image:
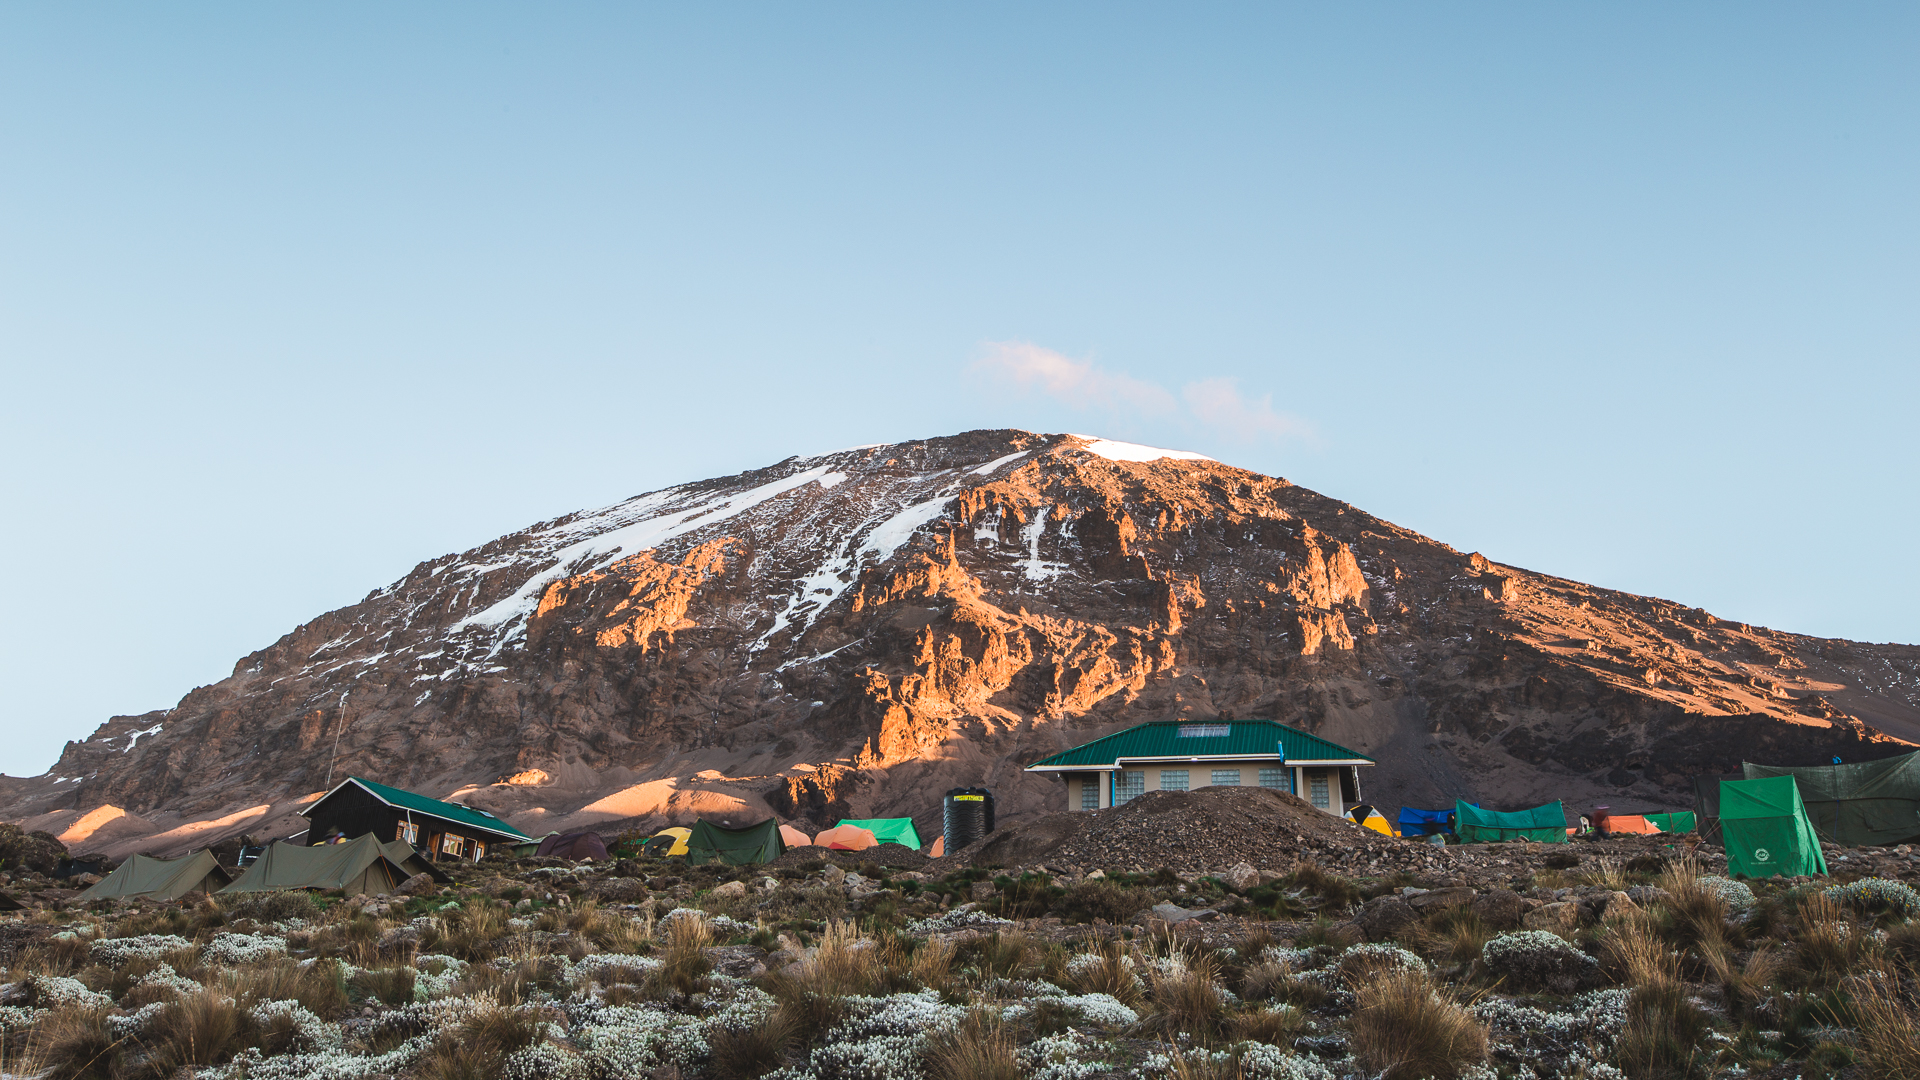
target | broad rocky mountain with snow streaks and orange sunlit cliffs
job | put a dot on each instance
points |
(857, 631)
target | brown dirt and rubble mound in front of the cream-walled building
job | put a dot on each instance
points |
(1201, 831)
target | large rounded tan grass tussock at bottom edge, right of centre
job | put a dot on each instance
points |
(1408, 1029)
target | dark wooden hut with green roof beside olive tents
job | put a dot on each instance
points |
(441, 829)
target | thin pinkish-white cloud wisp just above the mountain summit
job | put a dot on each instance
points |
(1211, 405)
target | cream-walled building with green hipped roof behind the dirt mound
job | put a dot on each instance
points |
(1182, 756)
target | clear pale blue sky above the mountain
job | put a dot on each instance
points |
(297, 297)
